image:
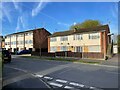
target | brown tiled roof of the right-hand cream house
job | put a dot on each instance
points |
(85, 30)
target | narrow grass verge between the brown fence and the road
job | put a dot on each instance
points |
(62, 59)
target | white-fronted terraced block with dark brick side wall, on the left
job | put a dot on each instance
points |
(30, 40)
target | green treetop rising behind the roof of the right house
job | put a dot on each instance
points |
(86, 24)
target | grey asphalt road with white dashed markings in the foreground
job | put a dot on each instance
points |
(30, 73)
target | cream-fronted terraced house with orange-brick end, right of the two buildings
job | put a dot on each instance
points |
(88, 41)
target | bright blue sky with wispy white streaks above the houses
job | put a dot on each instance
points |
(55, 16)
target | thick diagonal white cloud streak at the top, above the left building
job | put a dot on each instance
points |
(39, 7)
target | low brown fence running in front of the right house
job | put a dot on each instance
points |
(71, 54)
